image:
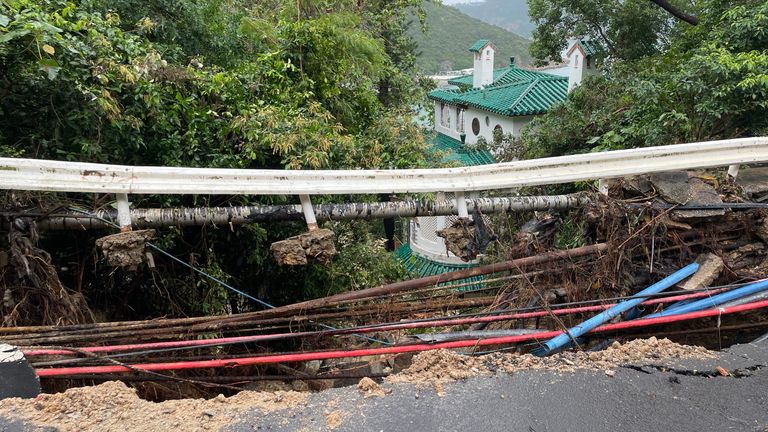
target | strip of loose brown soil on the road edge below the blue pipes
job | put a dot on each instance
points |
(440, 366)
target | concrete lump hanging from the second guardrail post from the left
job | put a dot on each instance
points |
(317, 244)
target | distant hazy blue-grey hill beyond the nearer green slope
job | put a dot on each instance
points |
(510, 15)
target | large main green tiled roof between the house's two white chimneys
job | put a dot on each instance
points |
(516, 92)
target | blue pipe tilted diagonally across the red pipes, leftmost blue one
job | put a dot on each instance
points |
(560, 341)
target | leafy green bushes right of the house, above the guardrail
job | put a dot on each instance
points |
(710, 84)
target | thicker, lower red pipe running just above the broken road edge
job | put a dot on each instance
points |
(323, 355)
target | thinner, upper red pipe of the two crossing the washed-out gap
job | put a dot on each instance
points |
(396, 326)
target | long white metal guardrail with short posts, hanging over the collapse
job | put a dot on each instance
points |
(55, 176)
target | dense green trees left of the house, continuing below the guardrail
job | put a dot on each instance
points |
(213, 84)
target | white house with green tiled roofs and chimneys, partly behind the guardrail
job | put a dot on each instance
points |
(488, 100)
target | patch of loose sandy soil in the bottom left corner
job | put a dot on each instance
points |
(113, 406)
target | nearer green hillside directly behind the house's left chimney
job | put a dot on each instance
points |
(450, 33)
